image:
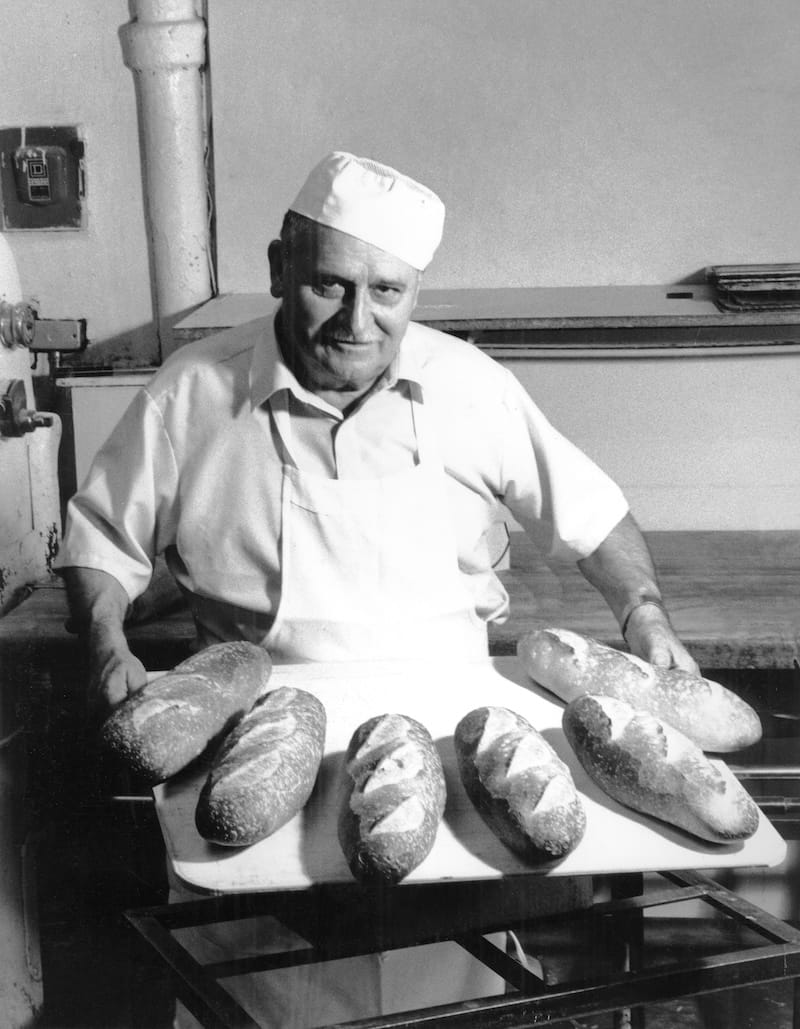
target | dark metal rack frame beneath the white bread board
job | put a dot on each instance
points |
(372, 924)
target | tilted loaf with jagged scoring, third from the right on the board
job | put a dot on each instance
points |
(518, 785)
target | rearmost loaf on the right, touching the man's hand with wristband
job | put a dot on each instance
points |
(571, 665)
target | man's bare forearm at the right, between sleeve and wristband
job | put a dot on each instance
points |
(622, 570)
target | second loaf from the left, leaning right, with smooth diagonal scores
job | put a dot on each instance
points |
(265, 770)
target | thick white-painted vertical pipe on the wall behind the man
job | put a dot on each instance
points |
(165, 48)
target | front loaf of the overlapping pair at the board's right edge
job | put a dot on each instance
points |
(650, 767)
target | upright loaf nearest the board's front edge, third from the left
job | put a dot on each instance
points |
(393, 799)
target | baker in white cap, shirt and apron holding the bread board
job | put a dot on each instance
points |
(324, 482)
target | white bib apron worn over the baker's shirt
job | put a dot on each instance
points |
(370, 566)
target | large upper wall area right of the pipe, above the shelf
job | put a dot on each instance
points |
(575, 143)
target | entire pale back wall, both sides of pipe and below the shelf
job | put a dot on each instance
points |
(574, 141)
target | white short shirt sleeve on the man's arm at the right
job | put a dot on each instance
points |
(554, 490)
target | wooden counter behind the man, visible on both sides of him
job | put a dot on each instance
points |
(735, 598)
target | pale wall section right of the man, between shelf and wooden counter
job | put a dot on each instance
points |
(706, 443)
